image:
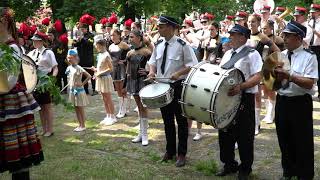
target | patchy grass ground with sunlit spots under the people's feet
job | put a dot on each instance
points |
(106, 152)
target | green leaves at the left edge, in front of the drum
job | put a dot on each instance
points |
(8, 62)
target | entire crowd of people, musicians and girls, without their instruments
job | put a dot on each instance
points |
(129, 56)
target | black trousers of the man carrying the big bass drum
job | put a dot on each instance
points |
(241, 132)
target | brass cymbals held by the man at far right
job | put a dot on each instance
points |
(273, 61)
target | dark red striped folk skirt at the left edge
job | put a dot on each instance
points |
(19, 143)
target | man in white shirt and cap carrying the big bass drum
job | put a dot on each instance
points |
(249, 62)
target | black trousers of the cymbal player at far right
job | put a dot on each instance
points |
(293, 118)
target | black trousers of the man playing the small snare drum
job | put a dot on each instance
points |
(169, 113)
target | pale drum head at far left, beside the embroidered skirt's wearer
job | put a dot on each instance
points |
(29, 73)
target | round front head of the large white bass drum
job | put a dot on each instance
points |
(226, 107)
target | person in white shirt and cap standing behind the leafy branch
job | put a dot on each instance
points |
(46, 63)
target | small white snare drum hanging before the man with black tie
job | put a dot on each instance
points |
(156, 95)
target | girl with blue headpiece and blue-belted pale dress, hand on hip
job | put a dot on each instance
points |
(77, 94)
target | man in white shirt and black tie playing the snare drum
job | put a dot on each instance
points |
(172, 58)
